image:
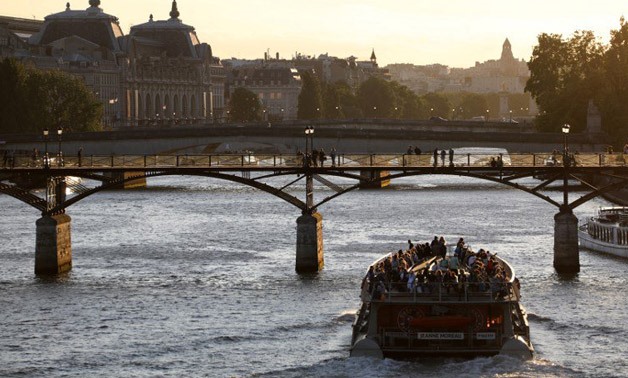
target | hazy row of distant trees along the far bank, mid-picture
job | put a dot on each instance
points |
(377, 98)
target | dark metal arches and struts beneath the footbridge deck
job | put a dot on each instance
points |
(616, 178)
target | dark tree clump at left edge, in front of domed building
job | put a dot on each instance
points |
(32, 100)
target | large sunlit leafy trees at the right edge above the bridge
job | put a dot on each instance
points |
(566, 74)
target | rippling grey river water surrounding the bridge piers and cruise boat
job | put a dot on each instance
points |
(195, 277)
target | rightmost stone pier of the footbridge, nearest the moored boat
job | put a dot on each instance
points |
(566, 252)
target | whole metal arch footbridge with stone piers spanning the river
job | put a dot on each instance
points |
(59, 176)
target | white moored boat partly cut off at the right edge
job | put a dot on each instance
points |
(607, 232)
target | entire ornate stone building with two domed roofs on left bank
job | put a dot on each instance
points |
(159, 74)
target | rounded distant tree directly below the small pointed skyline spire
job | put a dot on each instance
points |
(376, 98)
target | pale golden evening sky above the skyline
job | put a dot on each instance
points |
(454, 32)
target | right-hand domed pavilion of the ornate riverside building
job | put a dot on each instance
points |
(169, 78)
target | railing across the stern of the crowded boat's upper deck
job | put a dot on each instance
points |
(444, 292)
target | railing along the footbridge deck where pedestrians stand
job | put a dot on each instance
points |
(344, 160)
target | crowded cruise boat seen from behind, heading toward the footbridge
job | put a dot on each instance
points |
(419, 303)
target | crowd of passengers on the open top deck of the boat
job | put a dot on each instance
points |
(480, 271)
